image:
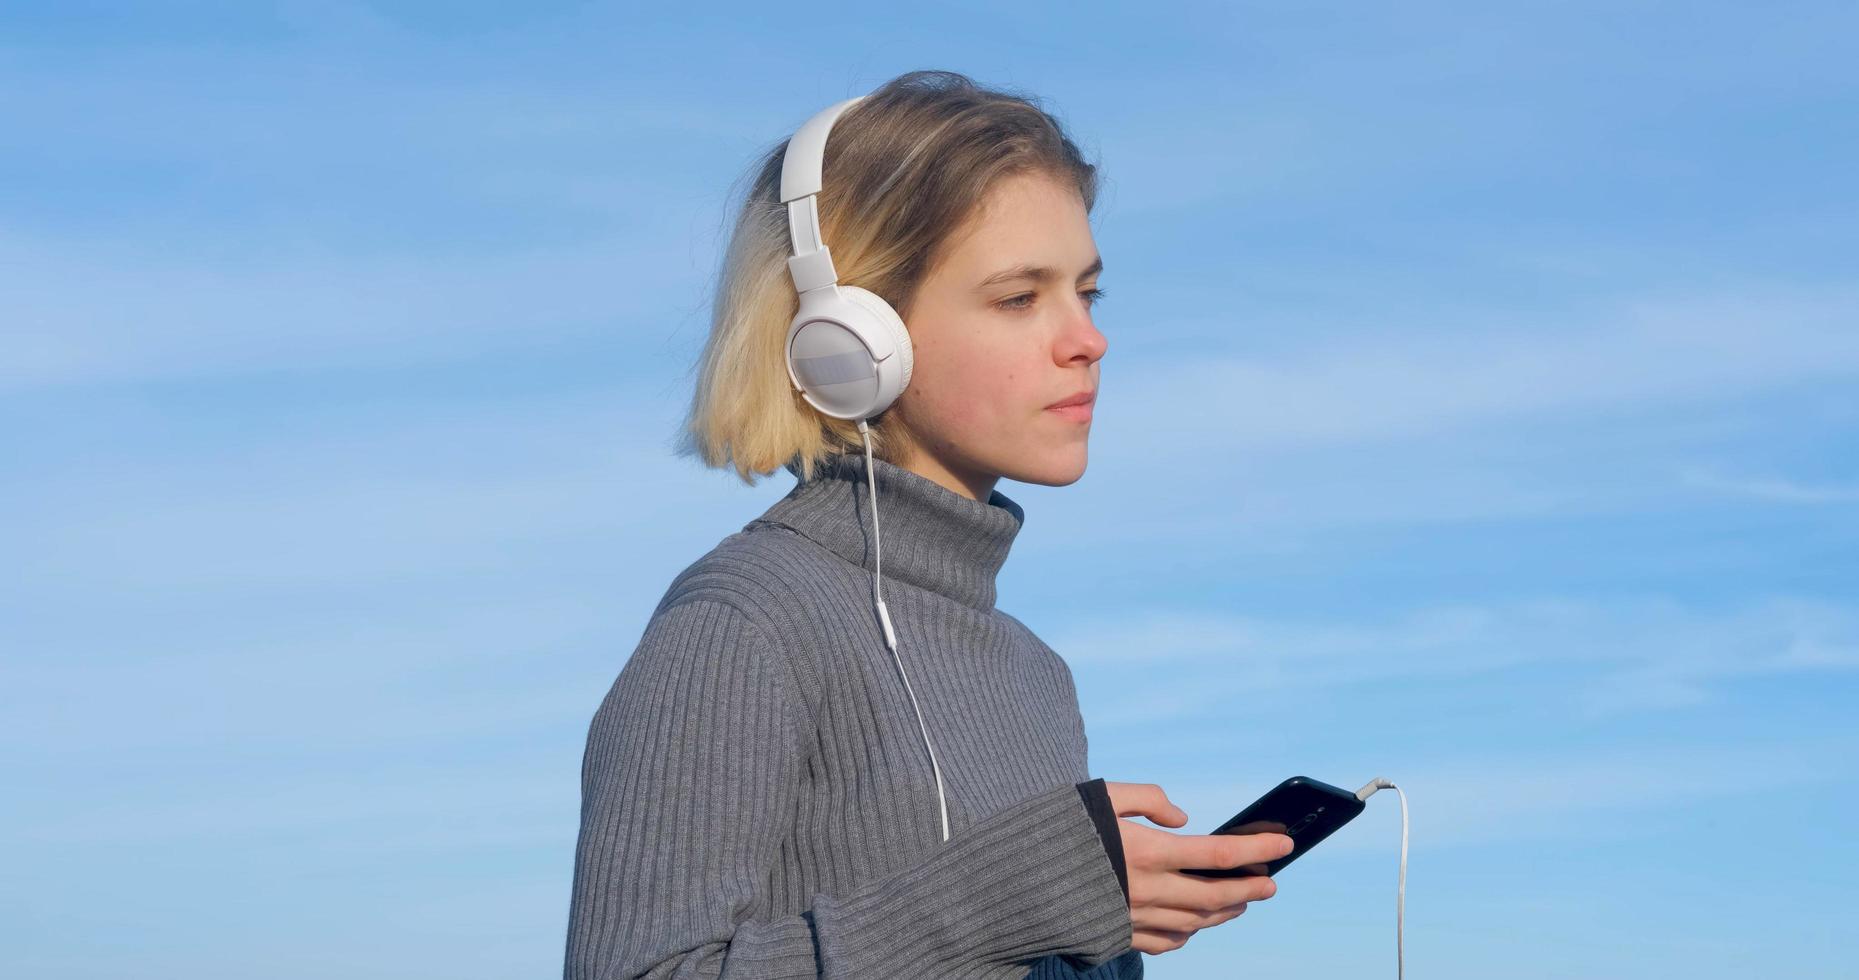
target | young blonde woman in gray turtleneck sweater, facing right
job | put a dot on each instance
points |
(832, 754)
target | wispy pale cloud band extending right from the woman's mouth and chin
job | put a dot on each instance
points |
(1401, 380)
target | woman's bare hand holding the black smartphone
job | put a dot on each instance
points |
(1167, 905)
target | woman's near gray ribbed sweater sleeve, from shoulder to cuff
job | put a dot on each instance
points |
(689, 789)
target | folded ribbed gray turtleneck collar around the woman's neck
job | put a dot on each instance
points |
(934, 536)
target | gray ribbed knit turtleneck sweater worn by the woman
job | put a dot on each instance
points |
(758, 801)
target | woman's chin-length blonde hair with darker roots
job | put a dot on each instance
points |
(904, 172)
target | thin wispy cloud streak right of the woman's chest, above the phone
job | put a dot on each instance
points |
(1626, 654)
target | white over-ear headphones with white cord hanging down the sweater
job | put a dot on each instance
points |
(849, 352)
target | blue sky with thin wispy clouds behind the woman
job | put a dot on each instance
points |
(1481, 412)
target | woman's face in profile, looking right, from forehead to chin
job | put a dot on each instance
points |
(1001, 330)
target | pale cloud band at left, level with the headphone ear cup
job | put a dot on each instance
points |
(111, 313)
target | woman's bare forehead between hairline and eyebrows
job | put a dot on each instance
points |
(1025, 219)
